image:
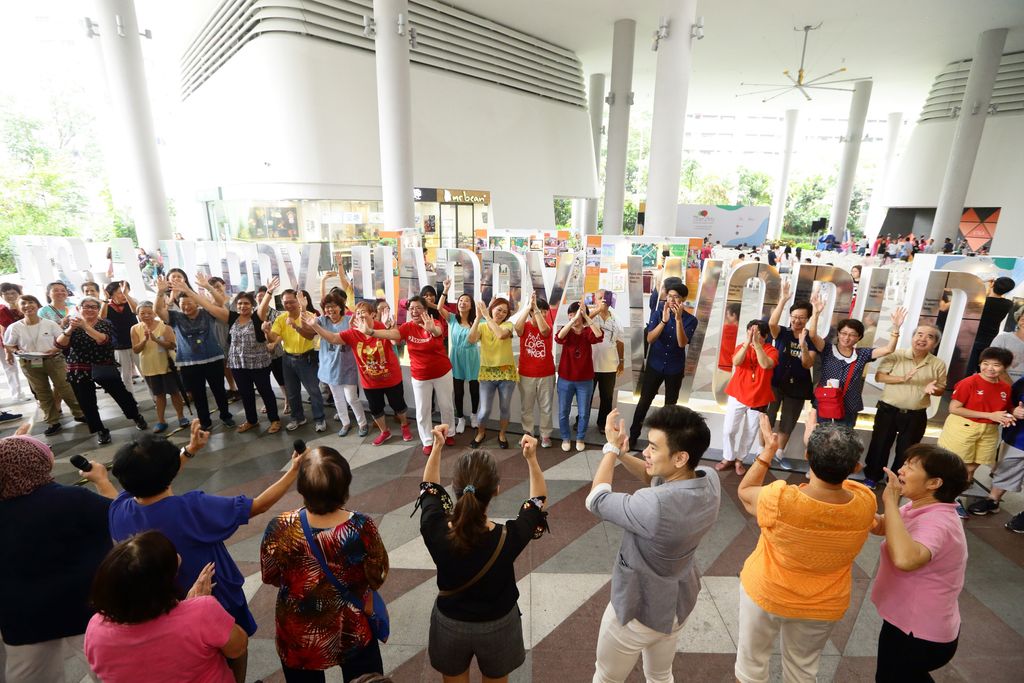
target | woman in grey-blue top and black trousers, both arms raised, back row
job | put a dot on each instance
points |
(200, 358)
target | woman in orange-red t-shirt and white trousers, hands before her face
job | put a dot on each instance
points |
(750, 394)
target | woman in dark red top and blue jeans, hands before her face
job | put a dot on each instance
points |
(576, 371)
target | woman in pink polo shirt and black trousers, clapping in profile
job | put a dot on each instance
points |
(921, 573)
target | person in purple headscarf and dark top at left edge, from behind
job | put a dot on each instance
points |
(54, 538)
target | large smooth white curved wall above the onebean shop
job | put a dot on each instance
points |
(295, 118)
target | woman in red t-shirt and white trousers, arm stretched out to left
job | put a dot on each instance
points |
(432, 369)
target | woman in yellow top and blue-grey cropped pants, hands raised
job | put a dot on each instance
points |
(498, 371)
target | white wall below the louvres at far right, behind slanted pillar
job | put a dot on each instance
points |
(998, 180)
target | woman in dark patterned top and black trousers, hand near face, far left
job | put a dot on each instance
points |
(89, 341)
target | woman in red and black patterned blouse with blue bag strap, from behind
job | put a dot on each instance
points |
(317, 627)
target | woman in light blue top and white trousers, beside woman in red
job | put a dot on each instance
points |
(337, 369)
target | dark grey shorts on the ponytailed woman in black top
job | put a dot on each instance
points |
(497, 646)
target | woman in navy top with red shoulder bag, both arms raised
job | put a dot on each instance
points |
(837, 359)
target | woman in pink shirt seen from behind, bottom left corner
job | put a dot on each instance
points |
(143, 631)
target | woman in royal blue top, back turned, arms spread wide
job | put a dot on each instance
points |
(197, 524)
